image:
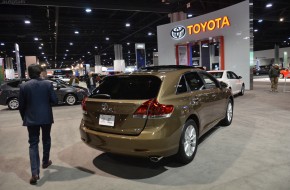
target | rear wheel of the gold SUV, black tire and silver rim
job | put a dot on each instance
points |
(188, 142)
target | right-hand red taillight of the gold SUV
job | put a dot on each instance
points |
(153, 109)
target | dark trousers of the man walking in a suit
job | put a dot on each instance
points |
(34, 132)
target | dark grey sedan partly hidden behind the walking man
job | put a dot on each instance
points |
(9, 93)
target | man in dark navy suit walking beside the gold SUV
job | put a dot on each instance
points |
(35, 106)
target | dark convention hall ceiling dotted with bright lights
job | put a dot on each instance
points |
(63, 33)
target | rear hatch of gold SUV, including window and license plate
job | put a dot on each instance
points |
(113, 105)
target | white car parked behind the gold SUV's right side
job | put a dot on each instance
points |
(235, 82)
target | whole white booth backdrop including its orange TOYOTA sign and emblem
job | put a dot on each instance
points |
(231, 23)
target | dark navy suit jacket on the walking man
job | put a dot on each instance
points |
(35, 100)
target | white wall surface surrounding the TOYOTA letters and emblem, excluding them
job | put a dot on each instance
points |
(236, 39)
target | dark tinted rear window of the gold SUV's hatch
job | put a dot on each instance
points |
(128, 87)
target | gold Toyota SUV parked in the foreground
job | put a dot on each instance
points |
(155, 112)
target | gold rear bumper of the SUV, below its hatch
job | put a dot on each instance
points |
(148, 143)
